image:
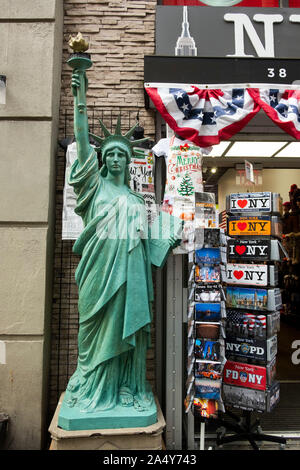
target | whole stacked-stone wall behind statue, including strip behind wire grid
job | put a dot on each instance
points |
(120, 33)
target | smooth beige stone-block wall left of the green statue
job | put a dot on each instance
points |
(30, 57)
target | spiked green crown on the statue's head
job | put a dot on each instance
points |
(110, 140)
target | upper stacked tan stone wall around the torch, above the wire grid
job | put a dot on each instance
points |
(120, 33)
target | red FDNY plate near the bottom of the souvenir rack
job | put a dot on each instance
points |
(245, 375)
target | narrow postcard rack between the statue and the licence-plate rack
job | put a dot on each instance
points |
(205, 347)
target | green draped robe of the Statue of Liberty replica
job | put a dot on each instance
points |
(115, 292)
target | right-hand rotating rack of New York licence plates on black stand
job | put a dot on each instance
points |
(253, 303)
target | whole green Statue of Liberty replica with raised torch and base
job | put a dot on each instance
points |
(114, 278)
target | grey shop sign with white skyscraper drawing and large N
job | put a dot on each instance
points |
(237, 32)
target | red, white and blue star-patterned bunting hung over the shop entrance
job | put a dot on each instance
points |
(208, 116)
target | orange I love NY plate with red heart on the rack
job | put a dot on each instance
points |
(239, 226)
